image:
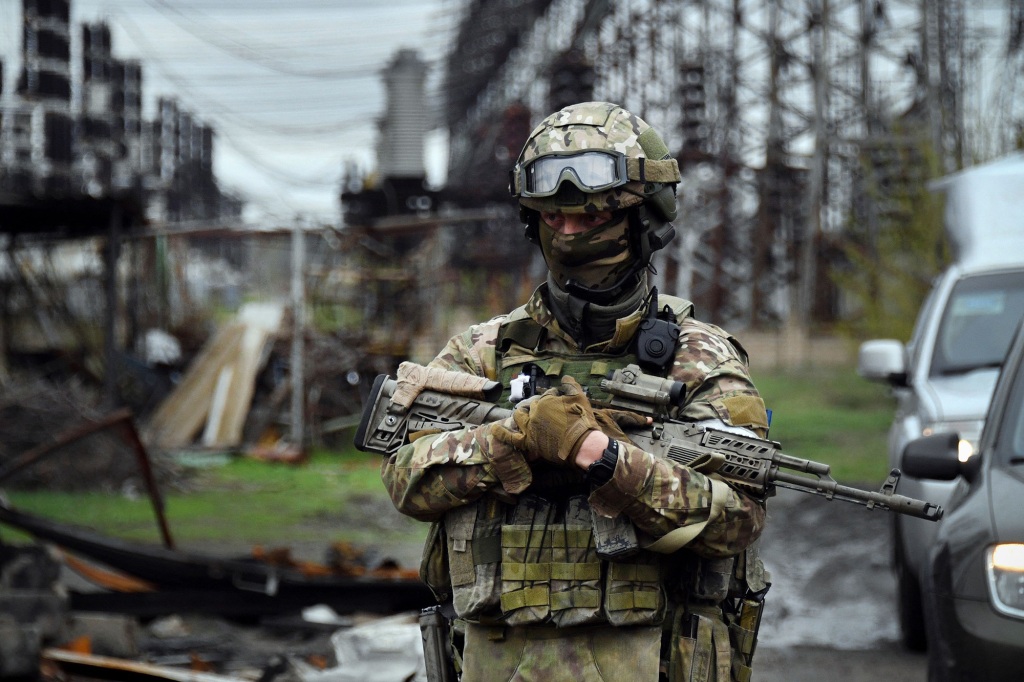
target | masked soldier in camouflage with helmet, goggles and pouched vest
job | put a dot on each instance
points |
(566, 552)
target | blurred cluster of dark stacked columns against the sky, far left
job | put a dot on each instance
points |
(96, 148)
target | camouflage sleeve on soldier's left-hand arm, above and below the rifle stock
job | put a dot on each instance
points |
(439, 473)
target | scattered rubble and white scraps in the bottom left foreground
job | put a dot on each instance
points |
(44, 637)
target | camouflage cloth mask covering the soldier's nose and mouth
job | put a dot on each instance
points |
(595, 260)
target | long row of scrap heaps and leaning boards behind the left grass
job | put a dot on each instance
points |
(231, 394)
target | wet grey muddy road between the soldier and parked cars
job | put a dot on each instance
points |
(831, 612)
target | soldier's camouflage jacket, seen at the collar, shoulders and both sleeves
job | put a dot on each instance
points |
(438, 474)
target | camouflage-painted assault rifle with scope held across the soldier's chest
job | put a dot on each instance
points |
(450, 401)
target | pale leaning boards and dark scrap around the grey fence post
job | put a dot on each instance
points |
(236, 393)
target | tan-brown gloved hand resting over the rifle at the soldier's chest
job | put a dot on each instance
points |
(552, 428)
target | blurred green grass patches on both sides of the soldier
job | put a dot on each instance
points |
(827, 415)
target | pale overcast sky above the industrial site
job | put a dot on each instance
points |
(292, 90)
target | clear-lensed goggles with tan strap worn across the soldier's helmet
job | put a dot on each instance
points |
(591, 172)
